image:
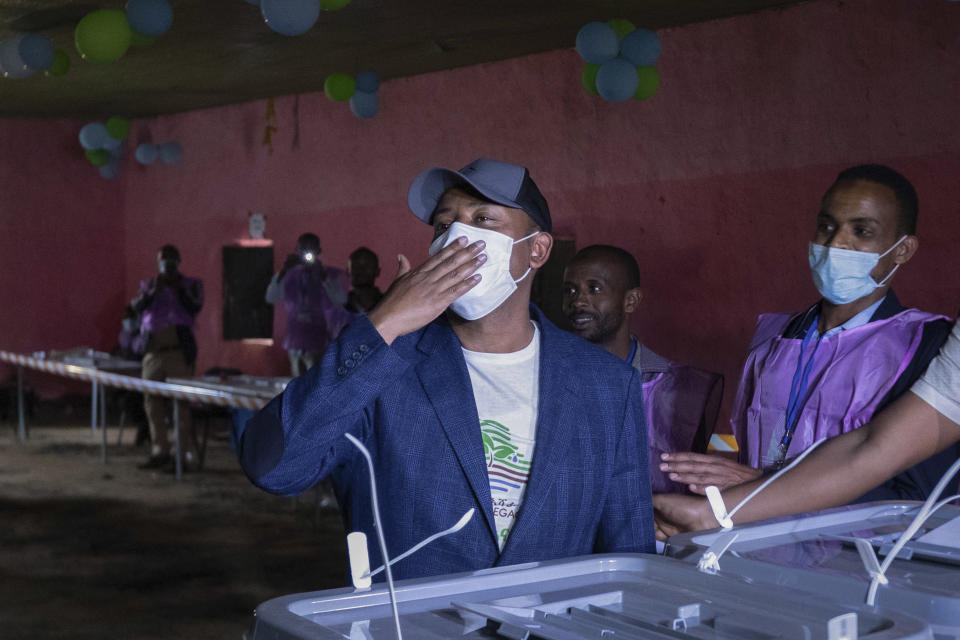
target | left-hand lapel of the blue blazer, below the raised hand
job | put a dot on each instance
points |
(441, 372)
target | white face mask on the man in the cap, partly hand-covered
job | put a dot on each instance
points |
(496, 284)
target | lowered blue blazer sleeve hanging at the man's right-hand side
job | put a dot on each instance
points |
(626, 524)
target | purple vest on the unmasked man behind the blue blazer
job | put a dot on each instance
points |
(674, 404)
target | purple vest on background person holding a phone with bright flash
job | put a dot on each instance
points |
(313, 319)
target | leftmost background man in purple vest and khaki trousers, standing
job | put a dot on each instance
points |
(168, 305)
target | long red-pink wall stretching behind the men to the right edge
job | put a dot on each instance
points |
(713, 183)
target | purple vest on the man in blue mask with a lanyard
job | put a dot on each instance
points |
(852, 372)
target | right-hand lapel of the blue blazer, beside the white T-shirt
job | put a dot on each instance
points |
(555, 431)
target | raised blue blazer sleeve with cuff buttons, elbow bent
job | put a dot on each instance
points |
(297, 439)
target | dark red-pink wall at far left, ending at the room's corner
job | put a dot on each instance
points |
(61, 249)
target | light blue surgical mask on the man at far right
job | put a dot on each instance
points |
(843, 275)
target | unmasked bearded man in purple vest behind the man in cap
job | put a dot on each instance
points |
(601, 289)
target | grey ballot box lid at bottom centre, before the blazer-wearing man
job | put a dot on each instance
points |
(634, 596)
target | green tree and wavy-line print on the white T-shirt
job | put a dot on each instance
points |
(508, 468)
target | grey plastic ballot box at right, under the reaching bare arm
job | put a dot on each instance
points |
(818, 553)
